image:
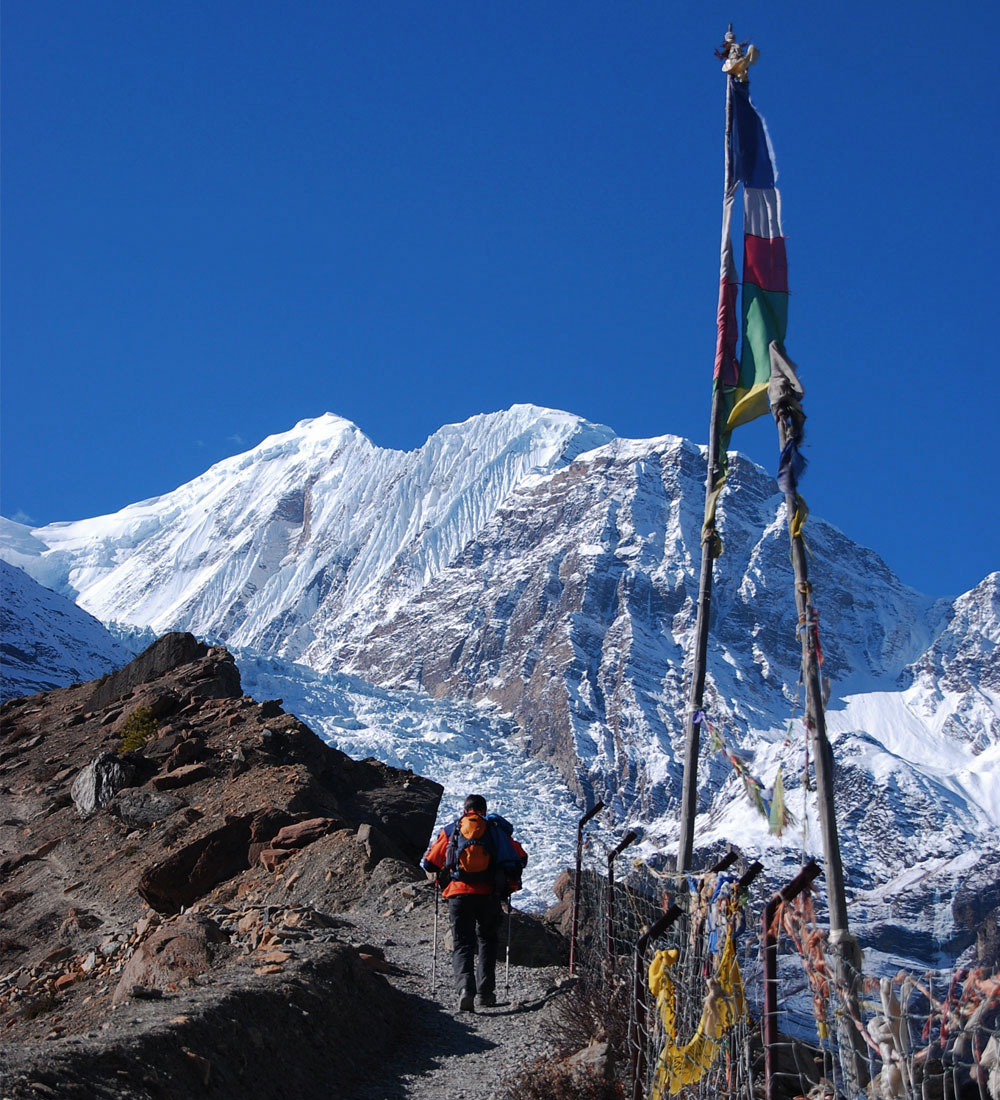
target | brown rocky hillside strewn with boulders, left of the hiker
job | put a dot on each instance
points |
(172, 914)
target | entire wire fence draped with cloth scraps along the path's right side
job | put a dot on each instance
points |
(675, 966)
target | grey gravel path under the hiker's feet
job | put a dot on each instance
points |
(452, 1054)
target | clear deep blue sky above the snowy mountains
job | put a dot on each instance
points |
(221, 218)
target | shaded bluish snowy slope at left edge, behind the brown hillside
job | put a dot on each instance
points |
(47, 641)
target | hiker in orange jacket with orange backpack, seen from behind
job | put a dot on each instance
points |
(478, 863)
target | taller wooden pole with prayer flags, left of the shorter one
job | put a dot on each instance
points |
(689, 798)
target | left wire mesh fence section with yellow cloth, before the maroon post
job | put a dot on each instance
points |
(680, 994)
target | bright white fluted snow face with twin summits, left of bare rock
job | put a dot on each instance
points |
(309, 522)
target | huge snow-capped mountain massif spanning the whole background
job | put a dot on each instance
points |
(546, 571)
